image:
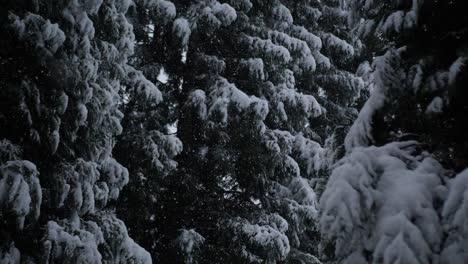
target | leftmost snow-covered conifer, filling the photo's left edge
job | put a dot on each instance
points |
(63, 65)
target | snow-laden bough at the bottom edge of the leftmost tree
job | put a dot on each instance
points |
(77, 241)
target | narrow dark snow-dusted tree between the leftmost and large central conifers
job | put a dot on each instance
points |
(147, 148)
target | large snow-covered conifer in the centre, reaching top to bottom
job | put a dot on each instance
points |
(249, 116)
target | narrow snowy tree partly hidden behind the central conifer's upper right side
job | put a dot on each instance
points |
(342, 84)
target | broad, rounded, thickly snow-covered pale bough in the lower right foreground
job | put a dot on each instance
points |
(380, 206)
